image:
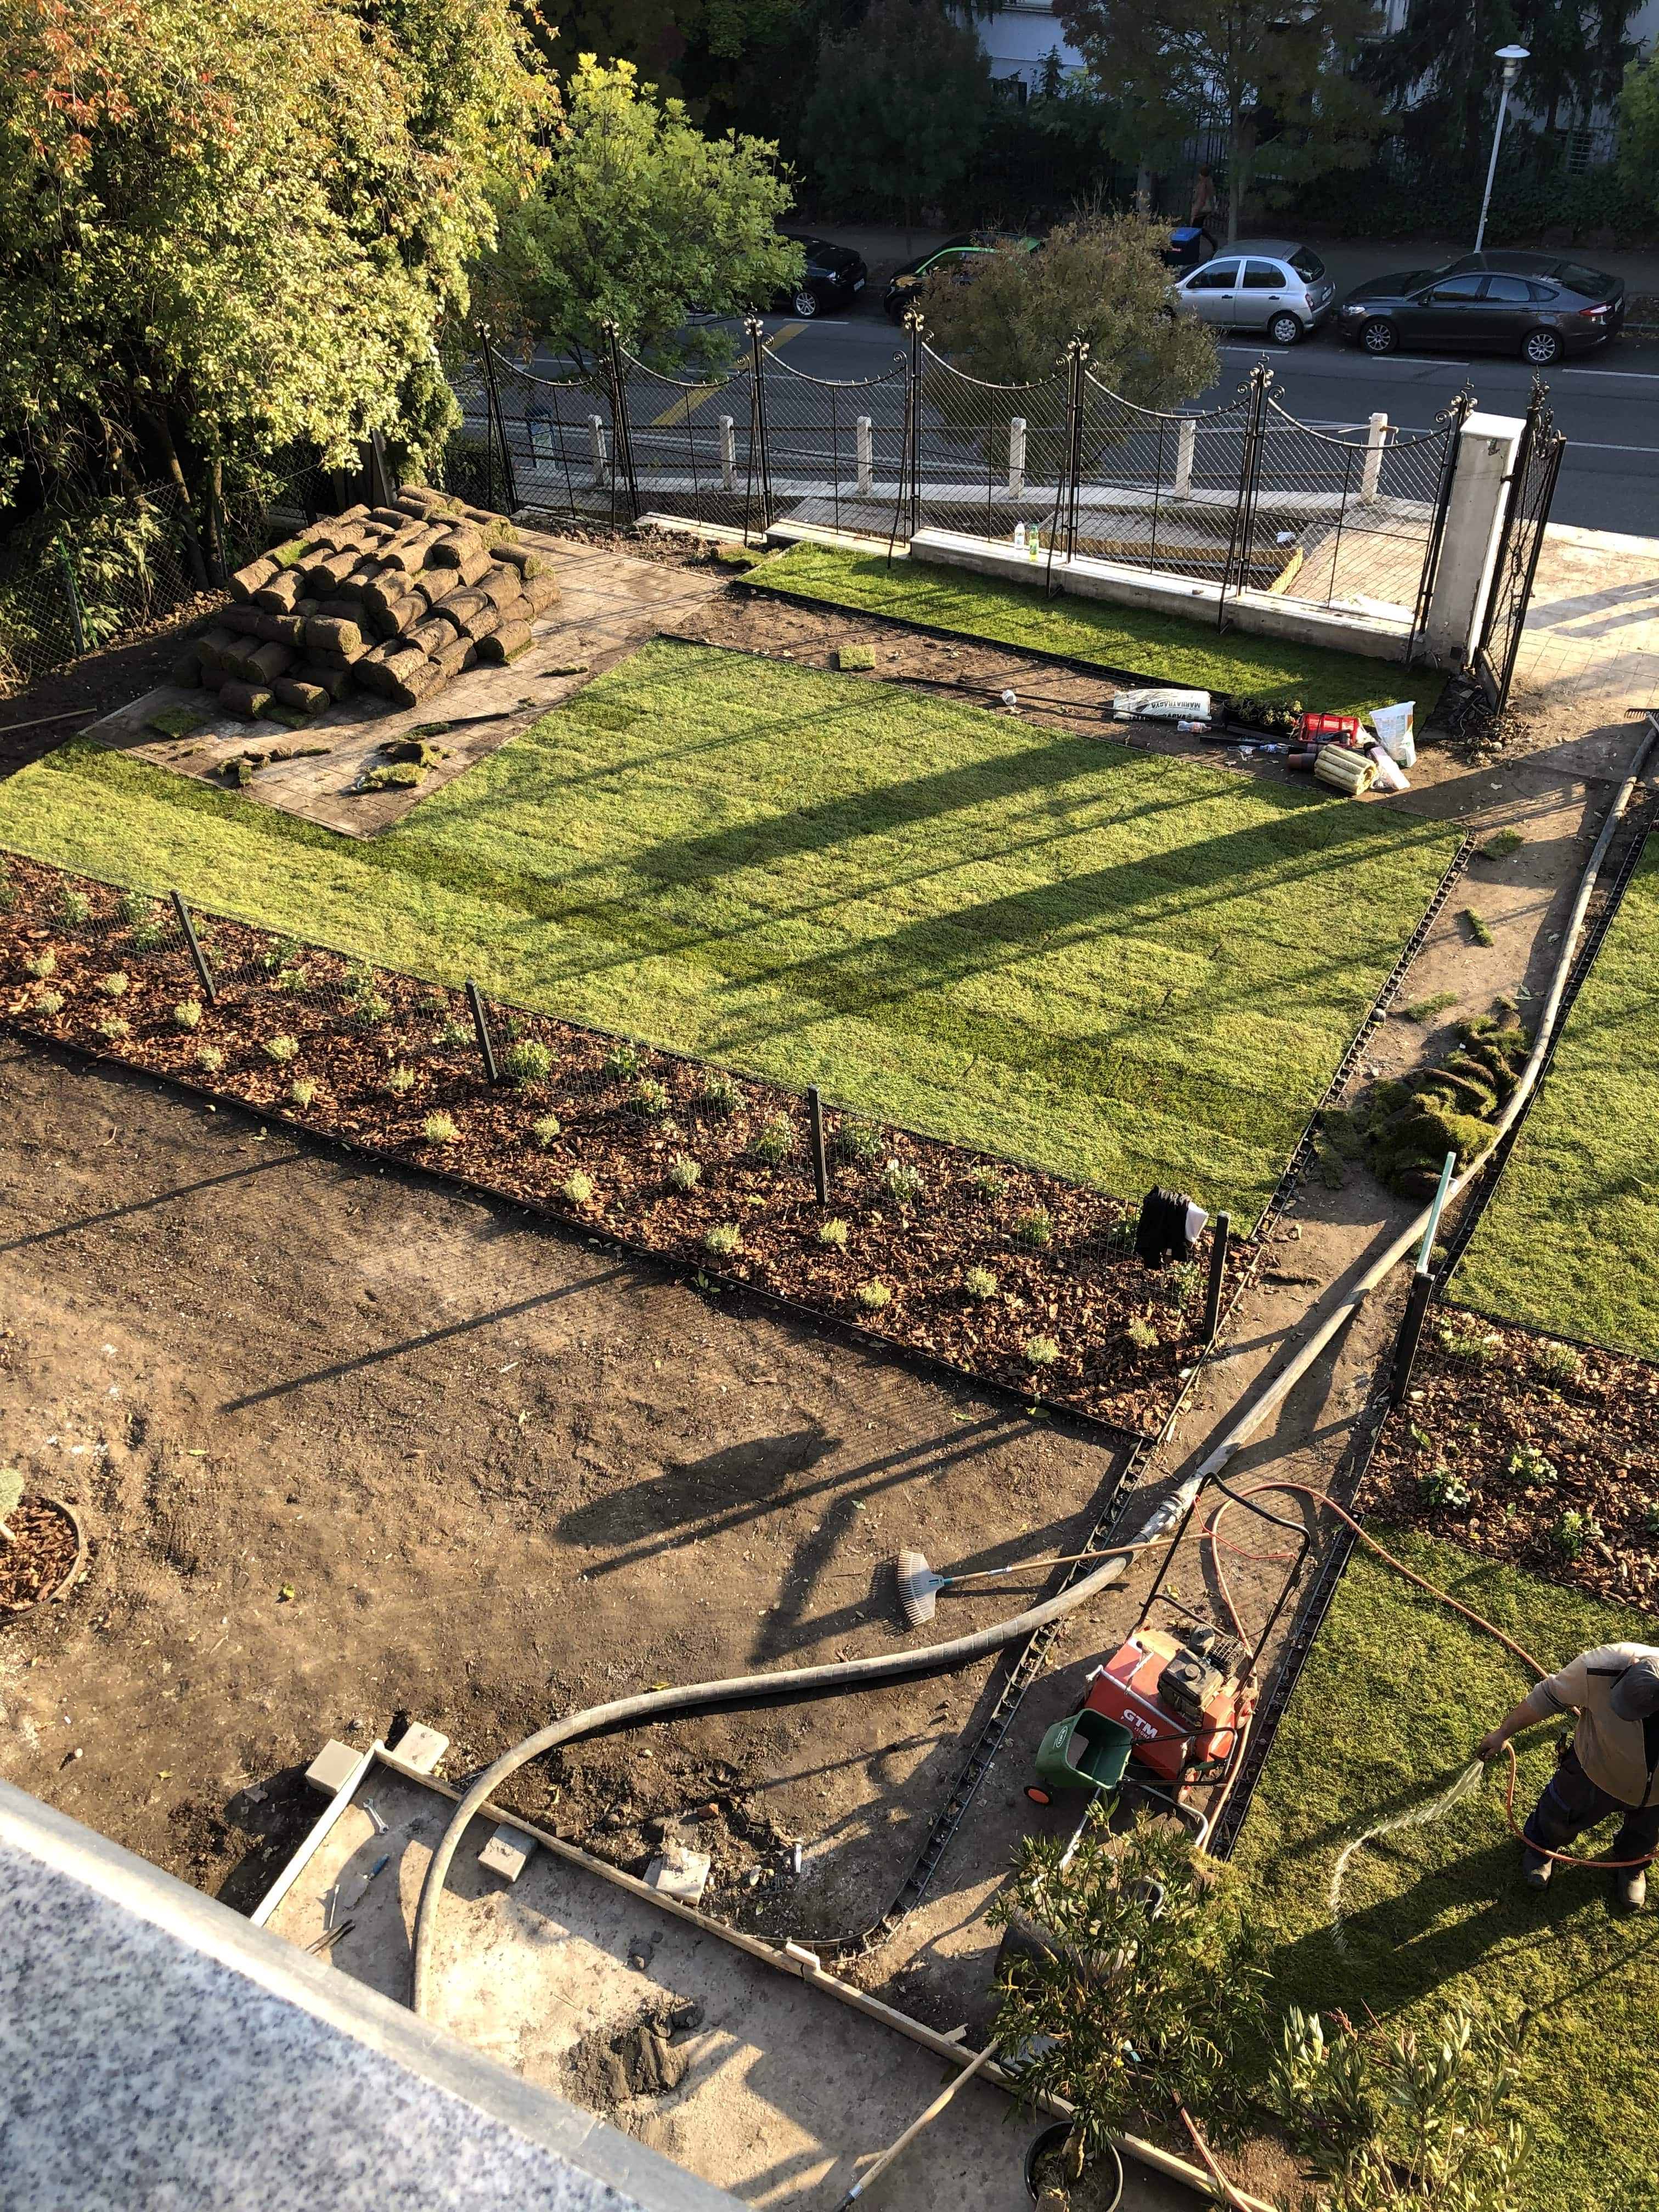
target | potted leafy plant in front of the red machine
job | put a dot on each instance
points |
(1129, 1992)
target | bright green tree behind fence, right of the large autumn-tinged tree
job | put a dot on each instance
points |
(640, 220)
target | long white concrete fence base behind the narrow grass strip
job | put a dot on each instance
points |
(1373, 629)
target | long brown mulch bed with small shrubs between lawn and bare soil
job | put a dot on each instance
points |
(625, 1116)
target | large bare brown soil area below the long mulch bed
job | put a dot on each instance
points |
(355, 1448)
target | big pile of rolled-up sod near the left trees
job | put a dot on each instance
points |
(397, 601)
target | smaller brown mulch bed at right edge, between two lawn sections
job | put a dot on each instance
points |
(1532, 1432)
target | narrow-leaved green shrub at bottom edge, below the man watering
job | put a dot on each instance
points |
(1406, 2122)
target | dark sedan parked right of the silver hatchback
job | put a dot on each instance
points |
(1538, 306)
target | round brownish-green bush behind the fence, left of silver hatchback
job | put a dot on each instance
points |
(1098, 280)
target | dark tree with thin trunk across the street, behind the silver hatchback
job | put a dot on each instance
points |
(1282, 83)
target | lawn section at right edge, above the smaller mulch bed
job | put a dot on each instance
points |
(1572, 1235)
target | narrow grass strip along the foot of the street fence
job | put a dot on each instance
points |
(1162, 649)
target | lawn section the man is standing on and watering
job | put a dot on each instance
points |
(1386, 1713)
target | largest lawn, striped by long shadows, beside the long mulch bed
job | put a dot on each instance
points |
(1103, 961)
